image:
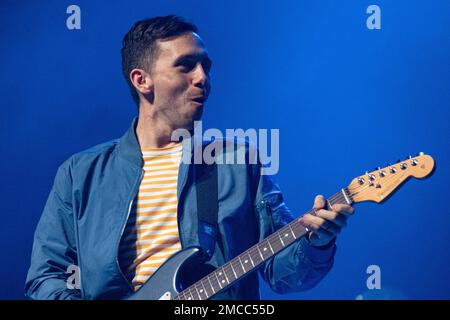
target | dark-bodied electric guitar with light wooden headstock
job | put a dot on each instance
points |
(167, 283)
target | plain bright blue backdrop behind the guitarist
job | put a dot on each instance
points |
(346, 99)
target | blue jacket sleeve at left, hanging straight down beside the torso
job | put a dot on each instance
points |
(54, 246)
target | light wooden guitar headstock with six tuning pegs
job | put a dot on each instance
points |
(379, 184)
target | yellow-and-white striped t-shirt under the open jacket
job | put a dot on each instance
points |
(151, 234)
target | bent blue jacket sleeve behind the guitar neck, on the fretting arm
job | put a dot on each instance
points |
(300, 266)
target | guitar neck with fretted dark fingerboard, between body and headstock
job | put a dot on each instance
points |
(252, 258)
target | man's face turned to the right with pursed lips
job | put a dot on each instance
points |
(181, 81)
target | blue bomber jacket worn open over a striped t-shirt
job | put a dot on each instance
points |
(87, 209)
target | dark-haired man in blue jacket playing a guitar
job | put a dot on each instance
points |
(118, 210)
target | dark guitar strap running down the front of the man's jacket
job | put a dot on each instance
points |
(207, 205)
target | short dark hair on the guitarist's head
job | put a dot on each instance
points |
(139, 47)
